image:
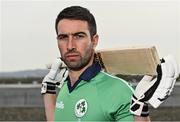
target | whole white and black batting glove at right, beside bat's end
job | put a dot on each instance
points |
(151, 89)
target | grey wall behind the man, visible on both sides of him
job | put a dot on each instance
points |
(29, 96)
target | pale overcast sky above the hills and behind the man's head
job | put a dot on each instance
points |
(28, 39)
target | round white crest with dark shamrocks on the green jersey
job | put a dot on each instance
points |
(81, 108)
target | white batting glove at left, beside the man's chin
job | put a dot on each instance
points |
(55, 78)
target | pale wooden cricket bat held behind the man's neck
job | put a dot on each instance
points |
(129, 61)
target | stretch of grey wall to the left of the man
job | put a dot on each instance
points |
(20, 96)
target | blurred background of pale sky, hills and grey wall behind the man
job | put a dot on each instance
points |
(28, 44)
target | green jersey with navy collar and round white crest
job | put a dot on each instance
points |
(96, 96)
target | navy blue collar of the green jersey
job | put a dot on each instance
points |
(87, 75)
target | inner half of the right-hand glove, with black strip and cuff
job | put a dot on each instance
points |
(143, 92)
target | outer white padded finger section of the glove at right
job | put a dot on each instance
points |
(169, 75)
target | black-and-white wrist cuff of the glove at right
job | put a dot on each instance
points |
(139, 108)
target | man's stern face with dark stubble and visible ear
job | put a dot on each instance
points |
(75, 43)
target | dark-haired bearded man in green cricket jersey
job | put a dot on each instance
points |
(88, 93)
